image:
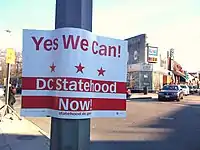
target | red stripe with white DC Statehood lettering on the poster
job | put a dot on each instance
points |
(30, 83)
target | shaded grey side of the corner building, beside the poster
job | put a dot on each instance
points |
(139, 73)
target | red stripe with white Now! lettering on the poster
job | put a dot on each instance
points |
(53, 103)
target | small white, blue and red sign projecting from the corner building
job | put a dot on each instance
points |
(152, 54)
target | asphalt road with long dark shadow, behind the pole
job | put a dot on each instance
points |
(149, 125)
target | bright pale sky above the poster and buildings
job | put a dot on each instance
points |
(168, 24)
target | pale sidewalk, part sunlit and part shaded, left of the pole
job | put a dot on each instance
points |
(21, 135)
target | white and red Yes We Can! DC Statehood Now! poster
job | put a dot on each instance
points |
(72, 73)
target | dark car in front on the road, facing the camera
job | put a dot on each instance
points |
(171, 92)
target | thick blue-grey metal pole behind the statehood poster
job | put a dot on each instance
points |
(68, 134)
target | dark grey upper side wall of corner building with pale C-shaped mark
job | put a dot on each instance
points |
(136, 49)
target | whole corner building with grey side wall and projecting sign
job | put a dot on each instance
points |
(141, 72)
